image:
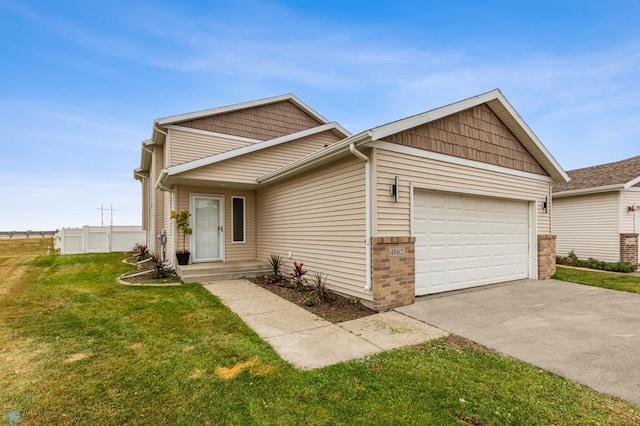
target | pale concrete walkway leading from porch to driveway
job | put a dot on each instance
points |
(308, 341)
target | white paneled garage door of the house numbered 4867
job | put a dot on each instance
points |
(465, 241)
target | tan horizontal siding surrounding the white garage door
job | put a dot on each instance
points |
(393, 219)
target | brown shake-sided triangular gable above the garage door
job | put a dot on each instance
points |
(476, 134)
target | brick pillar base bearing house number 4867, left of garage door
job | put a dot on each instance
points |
(393, 272)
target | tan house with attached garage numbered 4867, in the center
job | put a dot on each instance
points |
(452, 198)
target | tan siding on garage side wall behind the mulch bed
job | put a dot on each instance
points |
(320, 218)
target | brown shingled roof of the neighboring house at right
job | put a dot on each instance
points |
(604, 177)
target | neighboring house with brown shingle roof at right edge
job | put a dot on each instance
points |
(597, 213)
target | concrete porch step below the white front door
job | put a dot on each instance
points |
(207, 272)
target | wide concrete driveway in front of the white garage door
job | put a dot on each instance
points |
(587, 334)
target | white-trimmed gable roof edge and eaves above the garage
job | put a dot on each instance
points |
(494, 99)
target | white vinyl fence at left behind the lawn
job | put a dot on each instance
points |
(99, 239)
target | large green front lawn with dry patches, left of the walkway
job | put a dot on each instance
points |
(77, 348)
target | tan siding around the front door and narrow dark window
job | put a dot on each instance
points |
(233, 251)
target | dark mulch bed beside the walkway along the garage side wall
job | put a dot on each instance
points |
(337, 310)
